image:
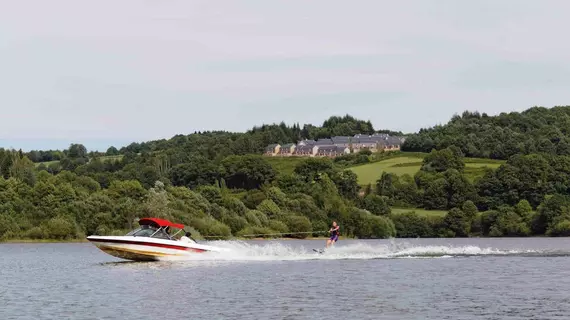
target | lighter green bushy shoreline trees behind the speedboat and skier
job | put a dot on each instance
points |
(241, 195)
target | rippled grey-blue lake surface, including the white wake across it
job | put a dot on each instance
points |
(380, 279)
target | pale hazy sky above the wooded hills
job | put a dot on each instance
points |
(107, 72)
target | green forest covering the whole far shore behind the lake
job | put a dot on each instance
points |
(218, 184)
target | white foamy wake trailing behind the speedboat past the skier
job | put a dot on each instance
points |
(278, 251)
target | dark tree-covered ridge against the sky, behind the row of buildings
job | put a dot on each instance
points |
(217, 145)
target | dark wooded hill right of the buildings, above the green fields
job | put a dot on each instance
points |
(478, 135)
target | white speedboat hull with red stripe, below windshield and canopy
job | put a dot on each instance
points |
(148, 249)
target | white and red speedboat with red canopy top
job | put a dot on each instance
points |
(151, 242)
